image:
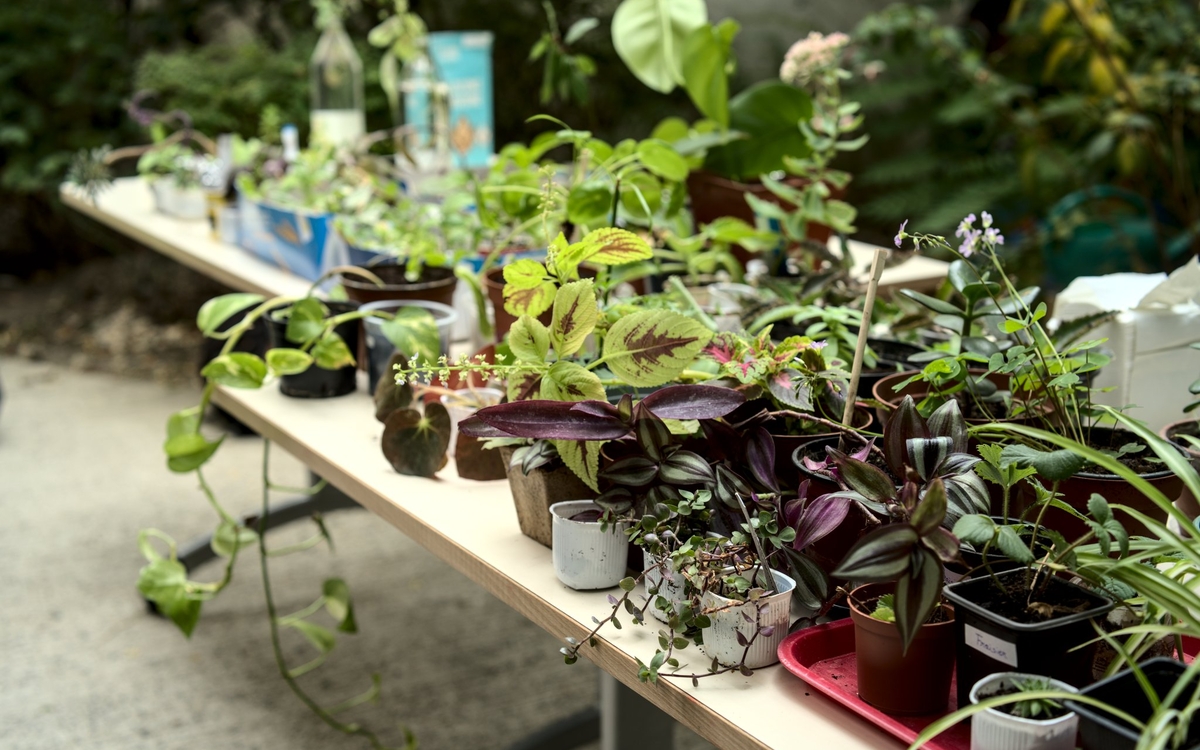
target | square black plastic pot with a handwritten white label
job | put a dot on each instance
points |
(989, 643)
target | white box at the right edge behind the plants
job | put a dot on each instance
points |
(1150, 339)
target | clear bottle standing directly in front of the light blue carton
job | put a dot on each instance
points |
(425, 110)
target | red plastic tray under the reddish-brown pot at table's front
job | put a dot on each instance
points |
(824, 657)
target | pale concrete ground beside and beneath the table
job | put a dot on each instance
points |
(86, 667)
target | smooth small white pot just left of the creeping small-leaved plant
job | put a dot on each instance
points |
(587, 556)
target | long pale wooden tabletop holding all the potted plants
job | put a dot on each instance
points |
(473, 527)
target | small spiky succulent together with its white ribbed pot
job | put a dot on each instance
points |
(1030, 724)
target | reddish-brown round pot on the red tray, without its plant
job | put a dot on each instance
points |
(916, 682)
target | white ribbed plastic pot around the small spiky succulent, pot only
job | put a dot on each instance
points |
(994, 730)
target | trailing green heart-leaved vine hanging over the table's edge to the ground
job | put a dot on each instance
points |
(165, 580)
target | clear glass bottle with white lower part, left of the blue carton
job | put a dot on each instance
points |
(335, 81)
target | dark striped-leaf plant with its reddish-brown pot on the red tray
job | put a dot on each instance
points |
(903, 632)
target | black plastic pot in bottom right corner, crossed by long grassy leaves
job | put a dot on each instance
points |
(1100, 730)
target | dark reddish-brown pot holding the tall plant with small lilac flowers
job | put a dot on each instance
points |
(1081, 488)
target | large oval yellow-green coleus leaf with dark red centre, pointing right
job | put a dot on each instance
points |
(652, 347)
